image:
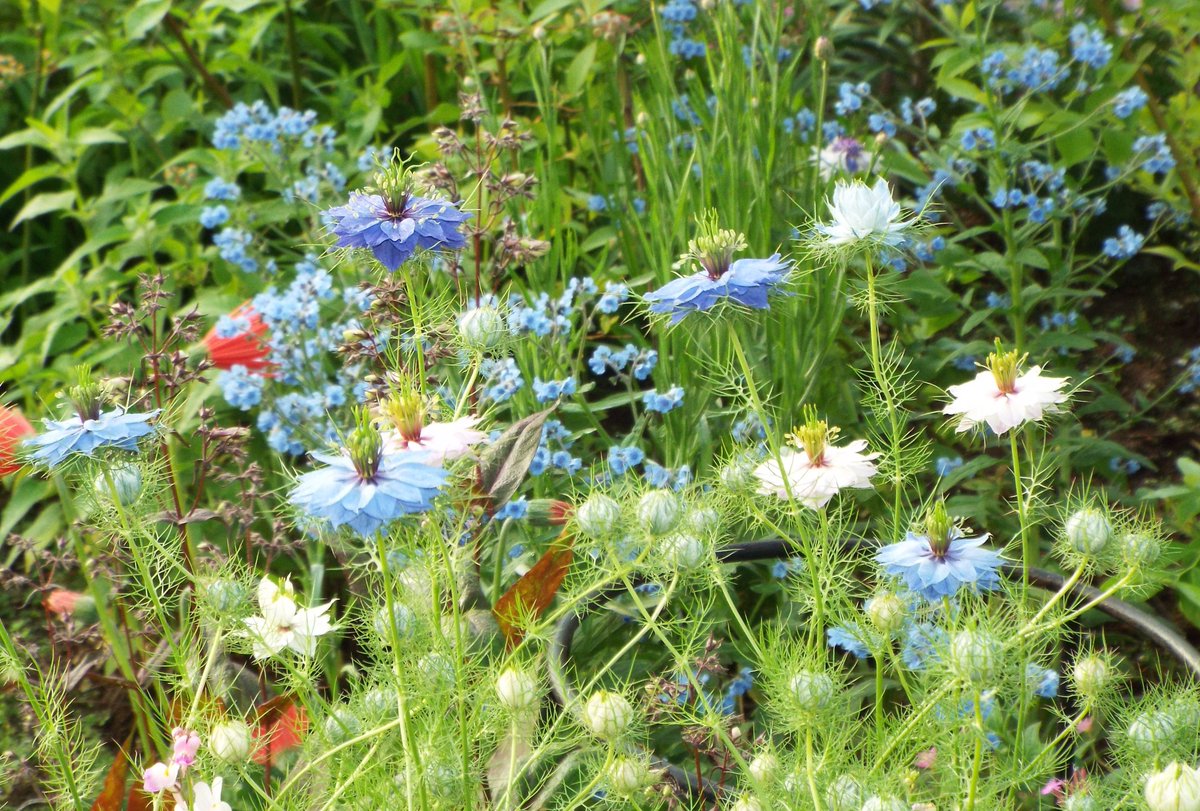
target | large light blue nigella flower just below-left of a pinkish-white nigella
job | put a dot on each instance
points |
(367, 488)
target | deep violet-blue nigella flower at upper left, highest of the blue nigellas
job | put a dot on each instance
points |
(395, 223)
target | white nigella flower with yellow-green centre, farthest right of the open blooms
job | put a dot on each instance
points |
(1004, 398)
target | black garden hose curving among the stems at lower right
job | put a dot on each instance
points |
(565, 693)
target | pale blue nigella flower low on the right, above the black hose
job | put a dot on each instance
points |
(938, 564)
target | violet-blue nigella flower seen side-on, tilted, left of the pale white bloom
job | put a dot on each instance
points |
(747, 283)
